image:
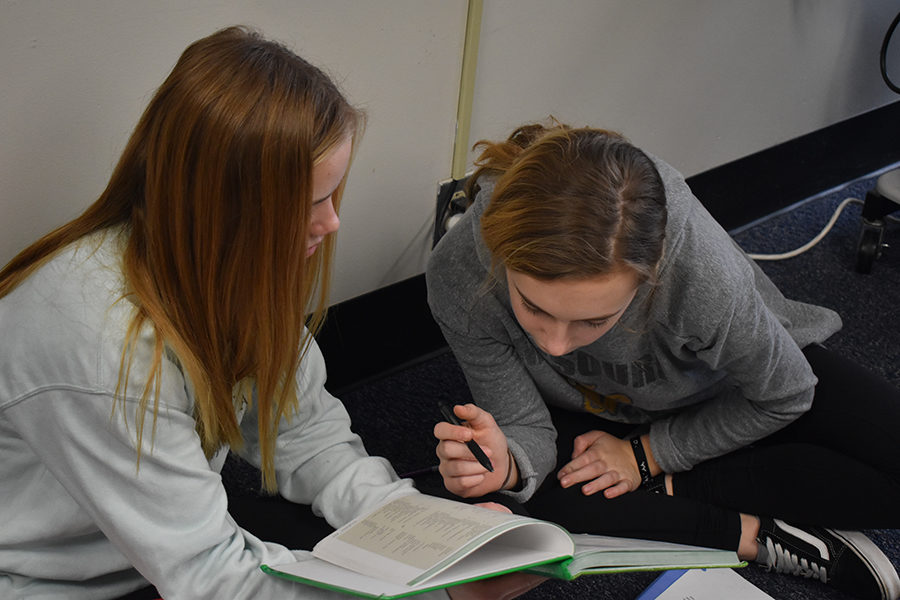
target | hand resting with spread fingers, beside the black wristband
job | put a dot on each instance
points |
(605, 462)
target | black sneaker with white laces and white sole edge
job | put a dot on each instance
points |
(846, 560)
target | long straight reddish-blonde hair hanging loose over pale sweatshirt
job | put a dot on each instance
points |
(214, 189)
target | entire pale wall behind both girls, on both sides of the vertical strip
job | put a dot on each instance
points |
(699, 83)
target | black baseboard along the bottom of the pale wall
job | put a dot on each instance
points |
(387, 329)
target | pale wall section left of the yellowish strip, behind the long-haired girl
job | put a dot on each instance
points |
(75, 77)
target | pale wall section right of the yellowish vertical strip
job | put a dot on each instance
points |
(696, 82)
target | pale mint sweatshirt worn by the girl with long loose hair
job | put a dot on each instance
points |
(78, 520)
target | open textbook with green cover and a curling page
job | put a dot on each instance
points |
(418, 543)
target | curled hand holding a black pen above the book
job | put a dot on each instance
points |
(462, 473)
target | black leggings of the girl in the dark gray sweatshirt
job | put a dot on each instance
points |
(838, 465)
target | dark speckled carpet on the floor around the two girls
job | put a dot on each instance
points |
(394, 414)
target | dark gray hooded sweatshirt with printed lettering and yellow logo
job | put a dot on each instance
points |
(711, 360)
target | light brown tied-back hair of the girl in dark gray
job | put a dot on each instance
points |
(572, 203)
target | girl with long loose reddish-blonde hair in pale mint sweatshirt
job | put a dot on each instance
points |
(173, 321)
